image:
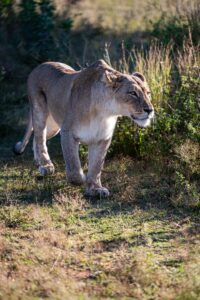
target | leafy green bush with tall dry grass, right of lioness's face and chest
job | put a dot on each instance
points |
(176, 116)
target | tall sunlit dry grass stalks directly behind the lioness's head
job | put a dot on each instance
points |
(155, 64)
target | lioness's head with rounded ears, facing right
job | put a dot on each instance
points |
(131, 94)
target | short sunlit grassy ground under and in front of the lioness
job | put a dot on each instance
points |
(55, 244)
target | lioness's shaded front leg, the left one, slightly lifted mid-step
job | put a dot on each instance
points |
(70, 148)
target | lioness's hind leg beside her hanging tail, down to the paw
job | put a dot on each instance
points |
(40, 115)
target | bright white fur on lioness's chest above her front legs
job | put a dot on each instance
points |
(96, 130)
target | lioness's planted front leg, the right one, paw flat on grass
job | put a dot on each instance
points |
(96, 156)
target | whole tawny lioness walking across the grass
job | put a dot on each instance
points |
(85, 106)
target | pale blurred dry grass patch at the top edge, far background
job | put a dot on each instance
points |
(126, 16)
